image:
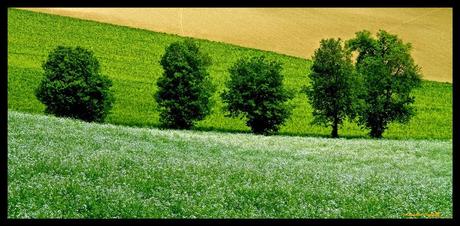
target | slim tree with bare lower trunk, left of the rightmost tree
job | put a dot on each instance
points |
(332, 91)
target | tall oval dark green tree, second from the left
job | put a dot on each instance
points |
(185, 89)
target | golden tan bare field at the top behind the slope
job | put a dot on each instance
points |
(293, 31)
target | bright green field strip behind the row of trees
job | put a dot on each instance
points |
(130, 57)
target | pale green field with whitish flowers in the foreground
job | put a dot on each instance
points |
(62, 168)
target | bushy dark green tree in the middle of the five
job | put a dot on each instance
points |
(256, 91)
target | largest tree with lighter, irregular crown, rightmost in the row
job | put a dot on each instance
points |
(389, 75)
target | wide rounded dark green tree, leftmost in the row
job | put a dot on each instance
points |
(73, 86)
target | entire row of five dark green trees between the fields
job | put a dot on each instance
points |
(372, 90)
